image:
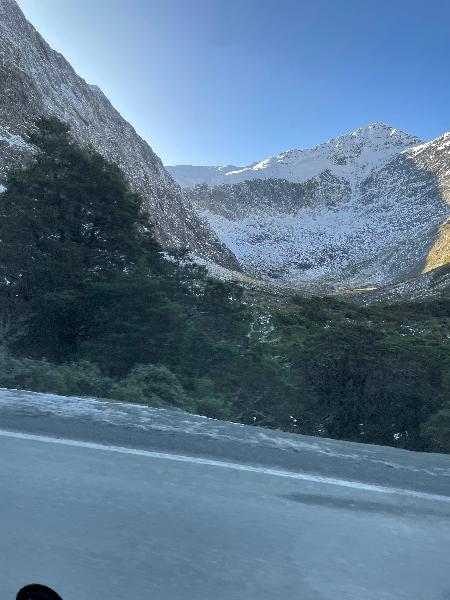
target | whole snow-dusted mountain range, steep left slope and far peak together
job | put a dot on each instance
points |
(368, 209)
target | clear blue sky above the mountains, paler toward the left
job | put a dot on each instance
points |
(235, 81)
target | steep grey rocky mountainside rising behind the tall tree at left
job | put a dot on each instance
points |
(37, 81)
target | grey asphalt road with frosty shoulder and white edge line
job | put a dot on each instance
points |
(119, 501)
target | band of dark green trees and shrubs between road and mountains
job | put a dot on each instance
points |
(90, 305)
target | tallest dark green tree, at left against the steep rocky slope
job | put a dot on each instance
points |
(70, 228)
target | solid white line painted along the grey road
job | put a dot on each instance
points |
(226, 465)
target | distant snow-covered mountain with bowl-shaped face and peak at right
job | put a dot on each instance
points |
(365, 209)
